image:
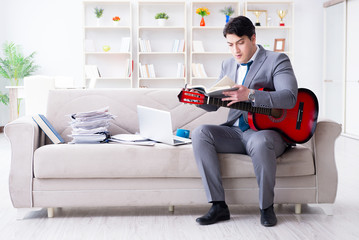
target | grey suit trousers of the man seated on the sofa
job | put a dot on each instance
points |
(262, 146)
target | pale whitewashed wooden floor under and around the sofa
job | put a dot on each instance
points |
(157, 223)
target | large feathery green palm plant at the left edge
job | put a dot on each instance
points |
(15, 66)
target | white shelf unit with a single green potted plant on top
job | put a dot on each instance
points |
(161, 40)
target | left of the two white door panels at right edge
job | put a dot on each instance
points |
(334, 62)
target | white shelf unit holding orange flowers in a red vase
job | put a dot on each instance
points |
(211, 37)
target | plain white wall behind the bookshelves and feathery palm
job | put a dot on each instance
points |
(53, 28)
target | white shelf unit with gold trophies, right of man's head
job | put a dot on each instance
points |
(270, 28)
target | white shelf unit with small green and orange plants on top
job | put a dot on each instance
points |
(112, 65)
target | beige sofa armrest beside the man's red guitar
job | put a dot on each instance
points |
(326, 171)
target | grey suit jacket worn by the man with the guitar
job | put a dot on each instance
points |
(269, 70)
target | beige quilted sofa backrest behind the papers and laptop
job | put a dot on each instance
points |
(123, 104)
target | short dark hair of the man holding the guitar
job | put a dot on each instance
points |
(239, 26)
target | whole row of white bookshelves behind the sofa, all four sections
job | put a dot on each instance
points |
(112, 64)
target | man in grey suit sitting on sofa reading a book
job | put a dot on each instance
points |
(252, 67)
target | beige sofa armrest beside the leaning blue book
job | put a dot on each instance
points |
(25, 137)
